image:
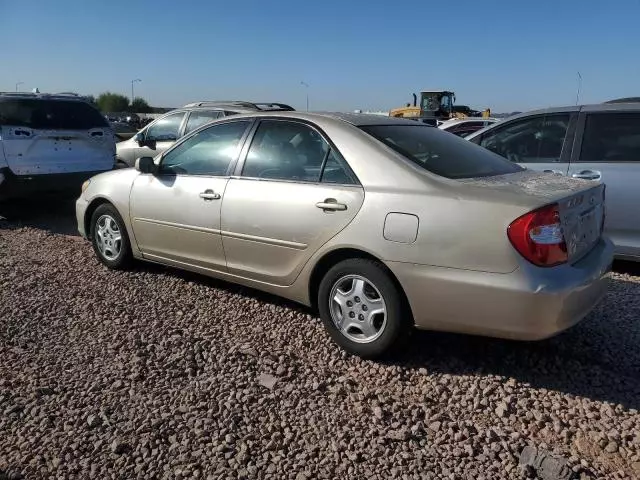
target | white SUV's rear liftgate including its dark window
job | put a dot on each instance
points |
(49, 136)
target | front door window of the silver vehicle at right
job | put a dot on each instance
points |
(537, 139)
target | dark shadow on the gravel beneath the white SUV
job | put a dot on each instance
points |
(52, 213)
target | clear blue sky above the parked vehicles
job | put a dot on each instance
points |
(369, 54)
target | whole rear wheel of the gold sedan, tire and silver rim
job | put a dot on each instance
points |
(362, 308)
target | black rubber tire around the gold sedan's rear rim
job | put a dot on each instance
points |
(398, 323)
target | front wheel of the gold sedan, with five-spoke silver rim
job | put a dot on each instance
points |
(109, 237)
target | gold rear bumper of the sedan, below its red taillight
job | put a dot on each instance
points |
(530, 303)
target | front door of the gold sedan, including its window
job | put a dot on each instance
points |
(176, 212)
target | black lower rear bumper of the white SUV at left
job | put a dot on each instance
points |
(22, 186)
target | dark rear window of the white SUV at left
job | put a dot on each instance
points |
(50, 114)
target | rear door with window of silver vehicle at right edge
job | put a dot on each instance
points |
(608, 150)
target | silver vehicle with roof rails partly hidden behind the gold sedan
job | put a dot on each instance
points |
(163, 132)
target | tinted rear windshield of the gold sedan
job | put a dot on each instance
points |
(440, 152)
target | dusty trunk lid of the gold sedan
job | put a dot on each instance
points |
(581, 203)
